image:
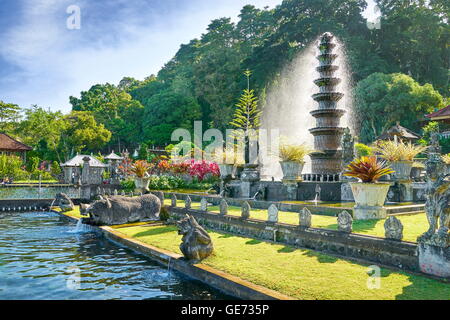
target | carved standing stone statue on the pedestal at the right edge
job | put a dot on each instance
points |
(437, 194)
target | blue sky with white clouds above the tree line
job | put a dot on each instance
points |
(46, 55)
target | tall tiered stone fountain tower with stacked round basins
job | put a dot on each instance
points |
(328, 158)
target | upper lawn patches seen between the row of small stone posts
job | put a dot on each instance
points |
(413, 225)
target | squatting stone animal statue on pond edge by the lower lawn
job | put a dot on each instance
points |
(196, 243)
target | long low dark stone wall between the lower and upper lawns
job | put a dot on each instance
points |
(375, 250)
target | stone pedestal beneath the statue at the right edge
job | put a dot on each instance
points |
(434, 260)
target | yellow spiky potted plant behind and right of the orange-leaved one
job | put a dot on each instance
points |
(400, 156)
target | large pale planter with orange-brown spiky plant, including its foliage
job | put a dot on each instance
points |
(369, 194)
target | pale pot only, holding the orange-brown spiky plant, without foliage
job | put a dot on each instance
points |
(369, 199)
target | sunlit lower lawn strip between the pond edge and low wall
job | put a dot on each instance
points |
(302, 274)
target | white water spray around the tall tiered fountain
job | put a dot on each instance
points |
(289, 103)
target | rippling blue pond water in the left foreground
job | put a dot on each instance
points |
(42, 256)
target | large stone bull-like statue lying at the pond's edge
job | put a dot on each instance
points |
(120, 210)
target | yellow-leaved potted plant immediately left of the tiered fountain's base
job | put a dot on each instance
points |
(292, 160)
